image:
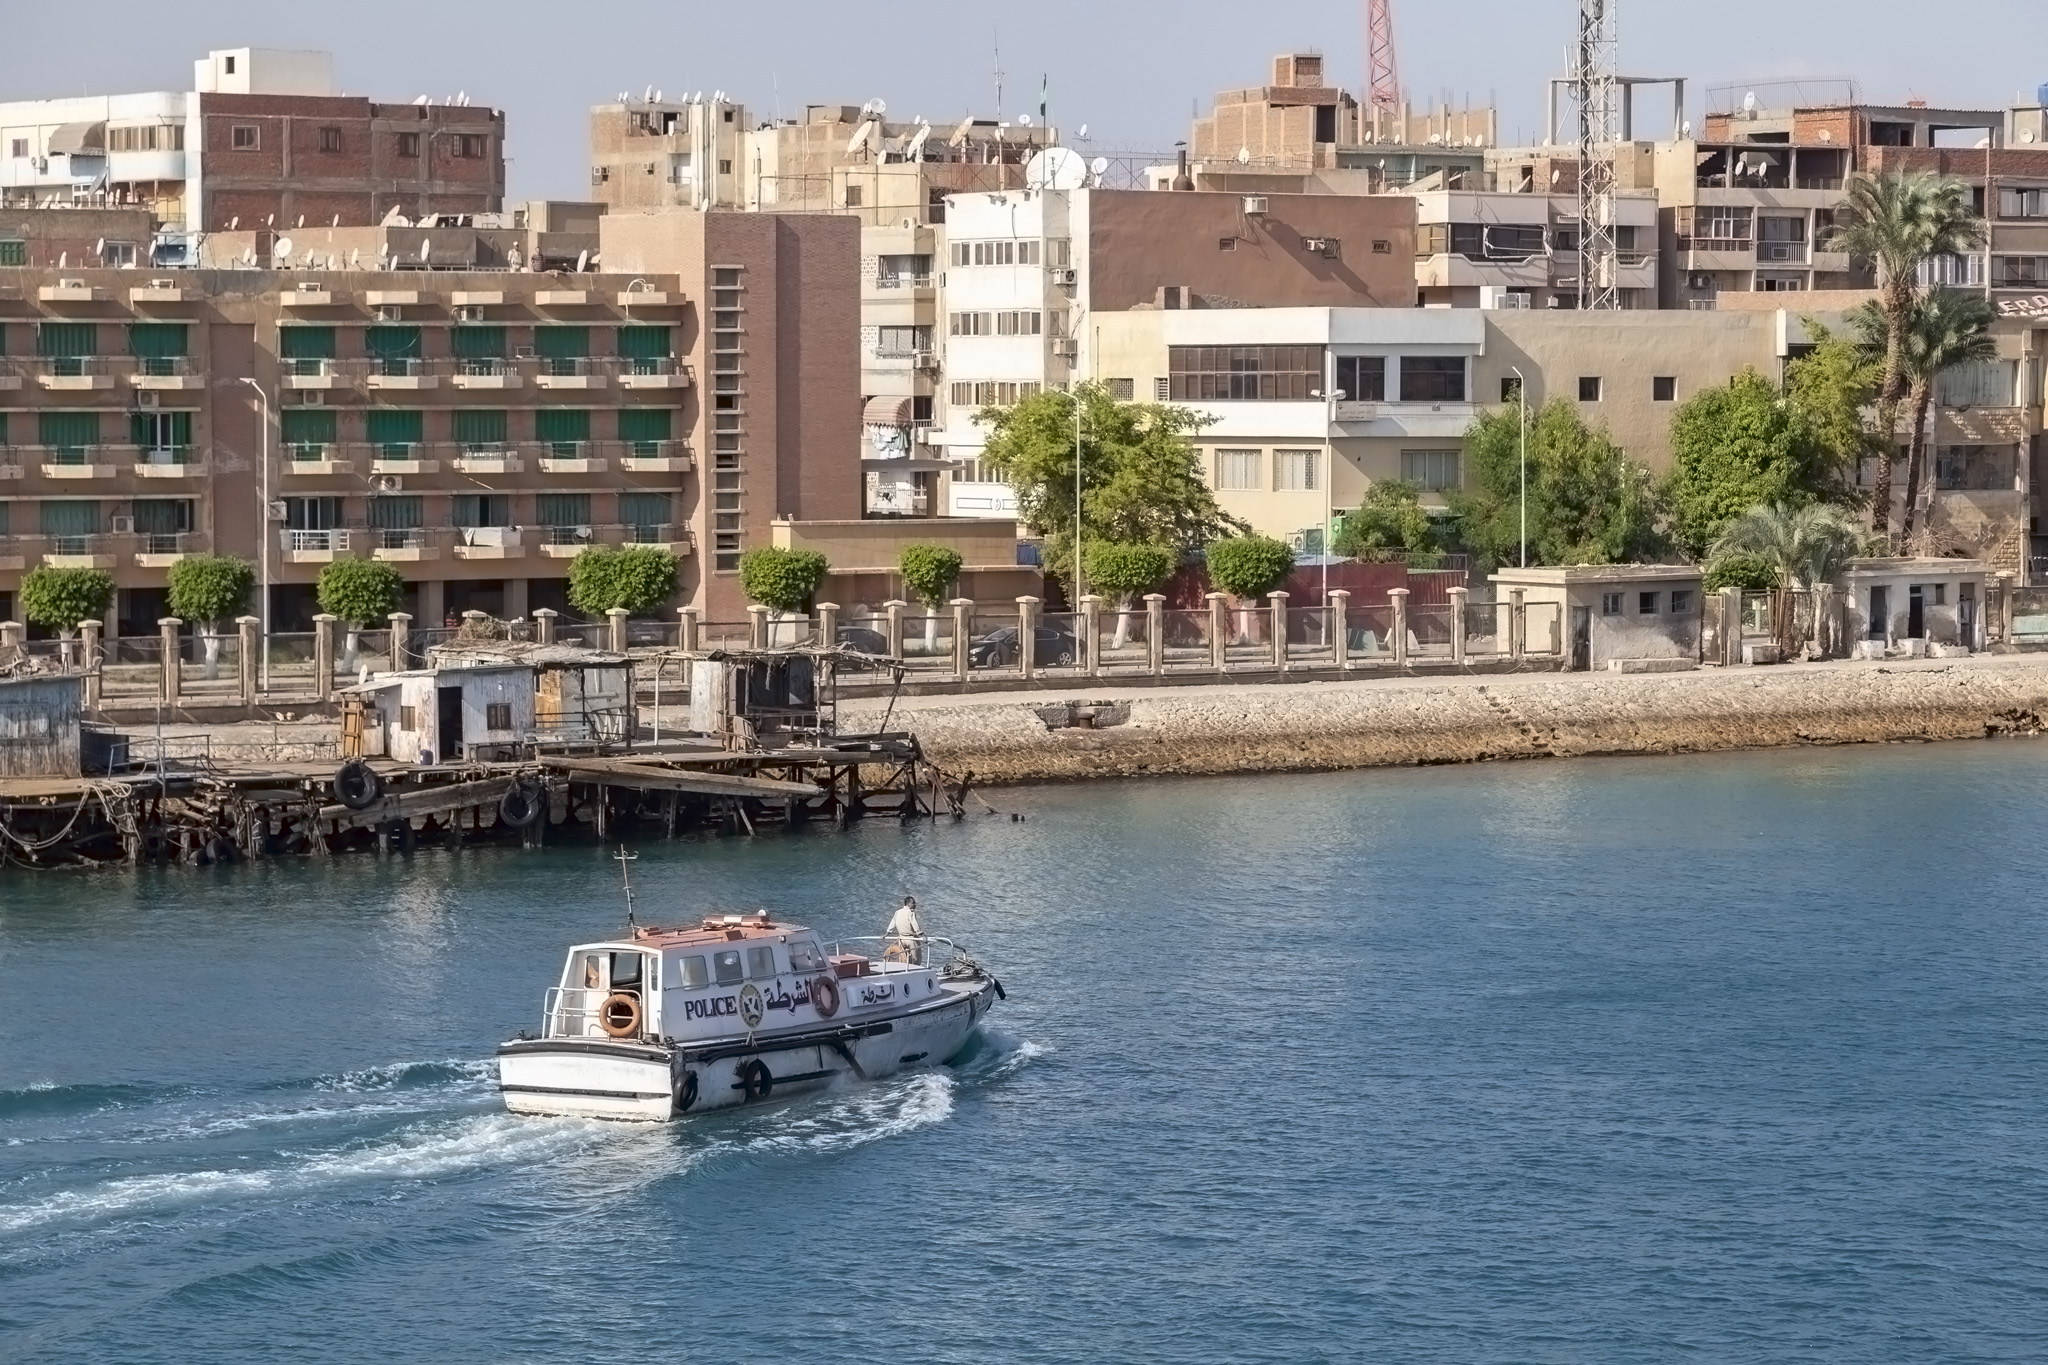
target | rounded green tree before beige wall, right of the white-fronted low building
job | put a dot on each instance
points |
(1588, 502)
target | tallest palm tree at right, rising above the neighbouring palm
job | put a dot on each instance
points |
(1897, 222)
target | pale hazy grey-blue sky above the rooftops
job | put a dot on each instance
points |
(1132, 73)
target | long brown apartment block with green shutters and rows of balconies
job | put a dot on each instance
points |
(476, 429)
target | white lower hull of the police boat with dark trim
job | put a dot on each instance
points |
(642, 1082)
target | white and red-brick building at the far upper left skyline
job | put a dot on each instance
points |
(261, 140)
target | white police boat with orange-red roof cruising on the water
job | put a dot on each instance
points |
(740, 1008)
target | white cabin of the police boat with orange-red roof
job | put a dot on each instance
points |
(728, 977)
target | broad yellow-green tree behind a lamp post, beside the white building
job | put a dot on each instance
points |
(1142, 476)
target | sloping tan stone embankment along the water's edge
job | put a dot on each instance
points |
(1306, 728)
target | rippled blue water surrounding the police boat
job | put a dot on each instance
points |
(1629, 1061)
